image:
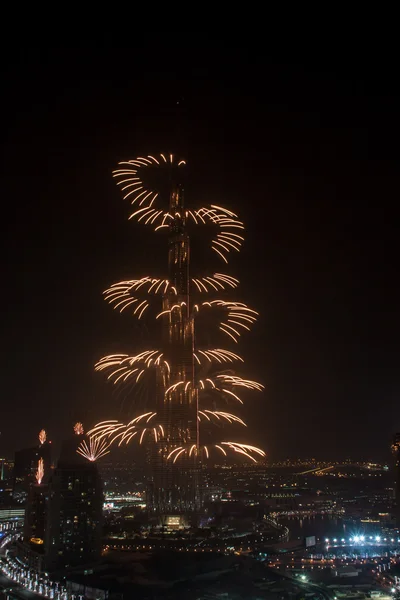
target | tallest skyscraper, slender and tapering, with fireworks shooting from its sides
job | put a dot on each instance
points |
(175, 487)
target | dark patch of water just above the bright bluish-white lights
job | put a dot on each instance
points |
(322, 526)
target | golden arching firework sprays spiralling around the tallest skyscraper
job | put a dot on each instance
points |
(136, 296)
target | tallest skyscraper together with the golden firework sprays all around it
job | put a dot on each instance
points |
(186, 371)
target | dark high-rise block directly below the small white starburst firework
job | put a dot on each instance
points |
(74, 518)
